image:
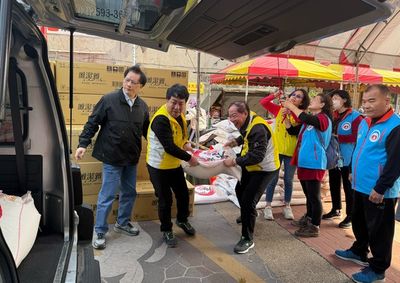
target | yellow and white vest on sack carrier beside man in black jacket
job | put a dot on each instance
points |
(156, 156)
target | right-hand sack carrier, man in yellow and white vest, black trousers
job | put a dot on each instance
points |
(259, 160)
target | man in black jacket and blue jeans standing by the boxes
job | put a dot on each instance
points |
(123, 118)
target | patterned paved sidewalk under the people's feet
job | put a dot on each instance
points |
(277, 257)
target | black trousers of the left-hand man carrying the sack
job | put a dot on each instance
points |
(165, 182)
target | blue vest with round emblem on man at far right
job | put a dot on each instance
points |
(370, 155)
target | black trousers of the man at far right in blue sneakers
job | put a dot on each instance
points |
(373, 227)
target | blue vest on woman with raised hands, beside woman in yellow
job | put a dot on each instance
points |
(311, 152)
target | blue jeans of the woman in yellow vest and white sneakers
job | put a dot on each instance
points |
(287, 178)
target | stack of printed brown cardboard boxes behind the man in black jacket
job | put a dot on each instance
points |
(91, 82)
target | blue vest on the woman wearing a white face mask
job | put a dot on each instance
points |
(345, 129)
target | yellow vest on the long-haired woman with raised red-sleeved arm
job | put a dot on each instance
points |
(286, 143)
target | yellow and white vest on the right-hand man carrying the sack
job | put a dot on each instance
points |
(270, 161)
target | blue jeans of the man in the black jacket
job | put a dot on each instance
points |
(114, 177)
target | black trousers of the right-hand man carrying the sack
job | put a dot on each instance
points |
(249, 191)
